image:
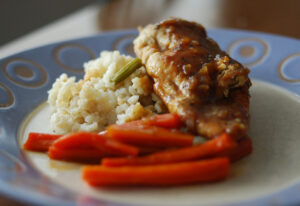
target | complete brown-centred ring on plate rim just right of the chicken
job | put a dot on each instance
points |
(249, 51)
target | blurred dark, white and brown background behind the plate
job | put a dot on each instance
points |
(30, 23)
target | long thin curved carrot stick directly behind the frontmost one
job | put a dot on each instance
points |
(210, 148)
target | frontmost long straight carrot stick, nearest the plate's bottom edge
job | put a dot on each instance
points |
(164, 175)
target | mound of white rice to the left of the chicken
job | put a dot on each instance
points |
(95, 102)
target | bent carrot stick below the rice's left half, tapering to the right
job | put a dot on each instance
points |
(99, 141)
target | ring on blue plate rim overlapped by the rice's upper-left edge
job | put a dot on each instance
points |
(71, 56)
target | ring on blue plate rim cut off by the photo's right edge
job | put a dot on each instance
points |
(289, 69)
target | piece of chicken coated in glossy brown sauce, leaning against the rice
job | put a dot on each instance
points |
(194, 78)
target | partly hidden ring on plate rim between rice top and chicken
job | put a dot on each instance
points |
(124, 44)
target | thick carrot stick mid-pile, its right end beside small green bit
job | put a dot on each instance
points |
(149, 136)
